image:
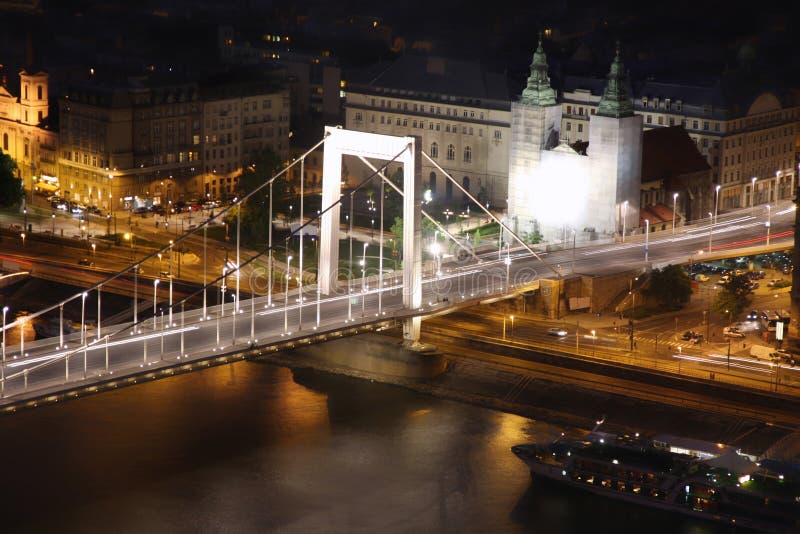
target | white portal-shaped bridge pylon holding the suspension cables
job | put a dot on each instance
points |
(405, 150)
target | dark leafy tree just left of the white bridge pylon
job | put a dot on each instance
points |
(255, 211)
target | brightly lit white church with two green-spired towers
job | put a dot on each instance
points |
(556, 190)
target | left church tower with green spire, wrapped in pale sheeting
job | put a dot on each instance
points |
(535, 126)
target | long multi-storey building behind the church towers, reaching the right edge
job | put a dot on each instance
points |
(751, 149)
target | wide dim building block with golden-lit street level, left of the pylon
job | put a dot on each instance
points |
(145, 142)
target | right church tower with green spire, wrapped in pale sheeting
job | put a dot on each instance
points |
(615, 150)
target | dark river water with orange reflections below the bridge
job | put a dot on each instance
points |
(252, 447)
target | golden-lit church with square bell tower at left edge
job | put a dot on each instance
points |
(25, 134)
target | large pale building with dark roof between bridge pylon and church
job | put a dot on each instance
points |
(461, 112)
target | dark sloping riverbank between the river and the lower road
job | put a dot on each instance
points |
(512, 390)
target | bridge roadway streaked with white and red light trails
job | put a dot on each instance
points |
(48, 369)
